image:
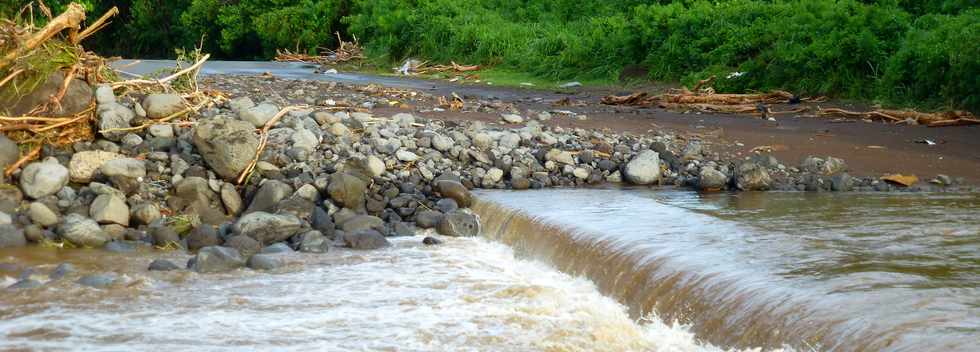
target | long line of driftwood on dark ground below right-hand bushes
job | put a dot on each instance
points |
(703, 98)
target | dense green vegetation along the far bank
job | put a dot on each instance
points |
(923, 53)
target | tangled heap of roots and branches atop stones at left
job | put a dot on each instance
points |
(46, 78)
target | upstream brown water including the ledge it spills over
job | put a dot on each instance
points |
(842, 272)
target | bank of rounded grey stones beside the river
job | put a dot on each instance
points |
(340, 172)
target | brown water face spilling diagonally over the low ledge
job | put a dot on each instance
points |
(722, 309)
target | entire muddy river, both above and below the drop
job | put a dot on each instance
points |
(638, 271)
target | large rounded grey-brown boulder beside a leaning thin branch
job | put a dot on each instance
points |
(228, 146)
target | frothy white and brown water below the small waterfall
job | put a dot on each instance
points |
(469, 294)
